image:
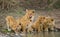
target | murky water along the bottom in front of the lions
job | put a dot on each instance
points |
(41, 34)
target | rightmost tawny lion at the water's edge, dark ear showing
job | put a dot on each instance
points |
(49, 23)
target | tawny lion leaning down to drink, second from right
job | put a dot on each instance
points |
(37, 25)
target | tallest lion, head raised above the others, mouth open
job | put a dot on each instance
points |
(26, 19)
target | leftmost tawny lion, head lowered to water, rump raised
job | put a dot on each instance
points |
(12, 24)
